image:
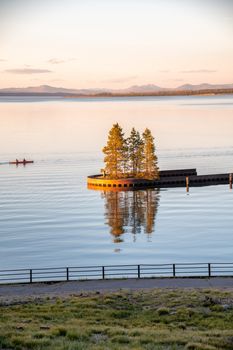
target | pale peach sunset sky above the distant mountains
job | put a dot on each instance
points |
(115, 43)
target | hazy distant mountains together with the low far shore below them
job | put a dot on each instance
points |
(149, 89)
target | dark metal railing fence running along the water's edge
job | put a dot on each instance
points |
(116, 271)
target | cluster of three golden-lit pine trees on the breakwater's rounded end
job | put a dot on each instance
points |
(130, 157)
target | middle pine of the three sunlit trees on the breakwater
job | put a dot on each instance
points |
(135, 152)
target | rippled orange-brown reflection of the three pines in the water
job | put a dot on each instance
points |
(131, 211)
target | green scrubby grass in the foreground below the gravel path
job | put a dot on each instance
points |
(159, 319)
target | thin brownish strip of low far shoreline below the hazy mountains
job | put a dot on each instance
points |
(208, 92)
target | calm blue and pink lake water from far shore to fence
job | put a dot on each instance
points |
(48, 217)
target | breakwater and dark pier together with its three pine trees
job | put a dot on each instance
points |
(131, 163)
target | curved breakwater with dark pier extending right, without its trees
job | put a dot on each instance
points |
(168, 178)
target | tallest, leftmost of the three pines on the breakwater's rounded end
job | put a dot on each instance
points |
(115, 153)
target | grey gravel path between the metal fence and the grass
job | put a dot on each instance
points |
(9, 293)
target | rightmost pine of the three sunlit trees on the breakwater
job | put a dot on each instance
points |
(150, 167)
